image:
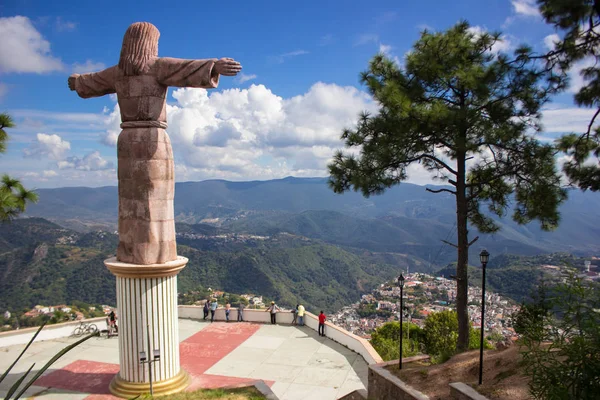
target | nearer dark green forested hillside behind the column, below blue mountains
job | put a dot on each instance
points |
(42, 263)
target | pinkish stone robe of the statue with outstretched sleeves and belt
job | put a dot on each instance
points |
(145, 168)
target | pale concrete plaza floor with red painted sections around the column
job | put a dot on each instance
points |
(296, 362)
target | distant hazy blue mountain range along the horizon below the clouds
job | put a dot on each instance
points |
(405, 219)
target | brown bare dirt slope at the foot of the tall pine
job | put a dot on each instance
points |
(502, 375)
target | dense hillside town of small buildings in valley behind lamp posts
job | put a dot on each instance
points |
(423, 294)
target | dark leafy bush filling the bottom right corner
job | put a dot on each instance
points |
(561, 341)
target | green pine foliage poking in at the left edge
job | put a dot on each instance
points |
(13, 195)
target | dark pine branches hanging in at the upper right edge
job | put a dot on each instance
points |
(577, 22)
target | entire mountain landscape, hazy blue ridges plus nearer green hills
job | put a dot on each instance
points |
(291, 239)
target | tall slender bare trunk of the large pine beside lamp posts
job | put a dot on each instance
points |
(462, 262)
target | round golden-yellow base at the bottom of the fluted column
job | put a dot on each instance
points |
(126, 390)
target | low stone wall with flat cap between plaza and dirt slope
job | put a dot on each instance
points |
(383, 385)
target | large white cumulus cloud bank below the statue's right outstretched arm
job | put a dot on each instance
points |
(255, 134)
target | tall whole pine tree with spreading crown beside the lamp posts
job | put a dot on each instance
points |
(469, 115)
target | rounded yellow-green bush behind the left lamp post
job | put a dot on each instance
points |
(386, 340)
